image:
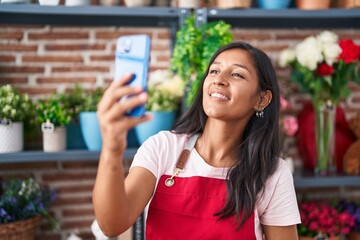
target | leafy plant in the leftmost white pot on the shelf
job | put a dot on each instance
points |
(14, 106)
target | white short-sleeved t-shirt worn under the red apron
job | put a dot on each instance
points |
(277, 206)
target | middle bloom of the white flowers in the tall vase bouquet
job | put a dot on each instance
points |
(309, 53)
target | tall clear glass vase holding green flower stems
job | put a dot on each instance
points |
(325, 112)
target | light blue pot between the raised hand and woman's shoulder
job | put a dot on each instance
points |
(160, 121)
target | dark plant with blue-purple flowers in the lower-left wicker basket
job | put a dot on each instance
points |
(23, 199)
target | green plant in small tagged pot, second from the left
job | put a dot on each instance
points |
(53, 110)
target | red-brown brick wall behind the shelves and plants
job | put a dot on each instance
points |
(40, 60)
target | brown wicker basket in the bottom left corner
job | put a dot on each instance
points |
(20, 230)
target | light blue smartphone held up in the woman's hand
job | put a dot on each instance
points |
(133, 56)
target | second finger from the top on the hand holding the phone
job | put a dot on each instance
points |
(113, 96)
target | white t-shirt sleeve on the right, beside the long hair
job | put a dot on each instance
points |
(280, 206)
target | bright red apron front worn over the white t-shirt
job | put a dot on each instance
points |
(186, 211)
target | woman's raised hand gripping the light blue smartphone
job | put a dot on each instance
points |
(114, 124)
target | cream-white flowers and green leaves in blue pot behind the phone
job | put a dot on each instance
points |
(165, 91)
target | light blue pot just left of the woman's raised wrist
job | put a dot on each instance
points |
(90, 130)
